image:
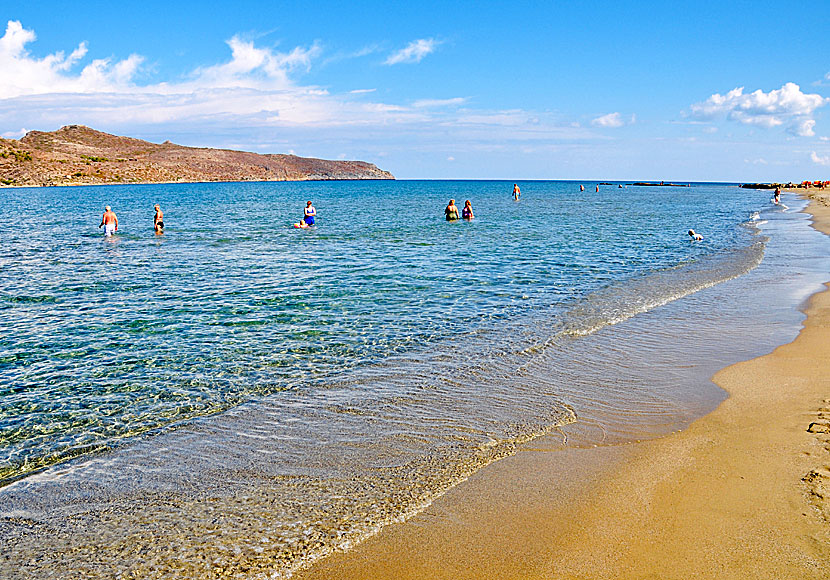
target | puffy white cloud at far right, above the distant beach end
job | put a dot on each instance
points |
(787, 105)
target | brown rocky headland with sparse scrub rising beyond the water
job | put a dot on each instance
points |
(78, 155)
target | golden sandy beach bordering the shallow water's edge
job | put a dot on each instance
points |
(742, 493)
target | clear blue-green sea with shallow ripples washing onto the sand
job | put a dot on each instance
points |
(238, 398)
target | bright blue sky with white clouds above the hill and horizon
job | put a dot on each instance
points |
(636, 90)
